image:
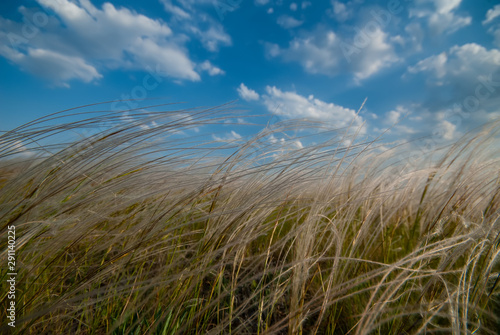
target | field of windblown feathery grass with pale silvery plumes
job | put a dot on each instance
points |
(140, 229)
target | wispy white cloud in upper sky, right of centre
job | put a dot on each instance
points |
(323, 51)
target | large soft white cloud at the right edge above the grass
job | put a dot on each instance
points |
(465, 86)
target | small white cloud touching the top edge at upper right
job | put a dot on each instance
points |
(441, 16)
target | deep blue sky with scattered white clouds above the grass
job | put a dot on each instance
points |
(429, 66)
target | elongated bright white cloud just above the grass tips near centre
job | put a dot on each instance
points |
(292, 105)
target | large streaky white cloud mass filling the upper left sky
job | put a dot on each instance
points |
(82, 41)
